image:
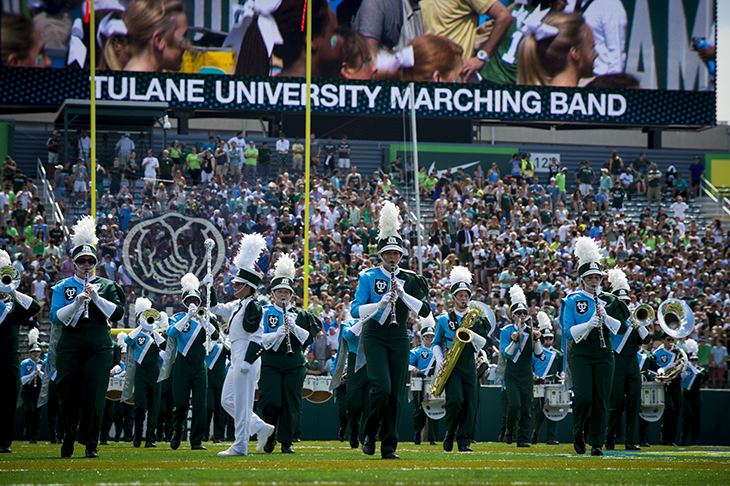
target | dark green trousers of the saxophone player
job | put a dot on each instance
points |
(461, 400)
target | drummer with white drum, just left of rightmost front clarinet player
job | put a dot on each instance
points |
(548, 368)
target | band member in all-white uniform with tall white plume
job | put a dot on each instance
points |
(243, 315)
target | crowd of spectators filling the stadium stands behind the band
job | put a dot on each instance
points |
(507, 226)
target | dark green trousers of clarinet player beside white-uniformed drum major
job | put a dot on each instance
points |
(280, 396)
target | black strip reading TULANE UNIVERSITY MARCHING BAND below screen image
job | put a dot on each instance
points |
(44, 87)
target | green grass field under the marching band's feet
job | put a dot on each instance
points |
(335, 463)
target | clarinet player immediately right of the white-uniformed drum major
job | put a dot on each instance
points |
(287, 331)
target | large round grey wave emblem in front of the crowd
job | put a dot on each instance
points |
(158, 251)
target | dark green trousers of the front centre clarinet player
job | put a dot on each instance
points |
(386, 350)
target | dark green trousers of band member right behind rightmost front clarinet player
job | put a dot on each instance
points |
(625, 397)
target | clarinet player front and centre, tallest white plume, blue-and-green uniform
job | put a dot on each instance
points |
(383, 298)
